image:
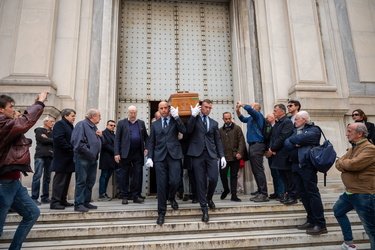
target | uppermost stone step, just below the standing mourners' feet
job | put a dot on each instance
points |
(114, 210)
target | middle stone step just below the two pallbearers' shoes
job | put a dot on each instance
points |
(192, 225)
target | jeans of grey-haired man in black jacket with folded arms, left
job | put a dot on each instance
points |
(41, 166)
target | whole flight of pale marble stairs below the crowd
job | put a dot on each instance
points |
(242, 225)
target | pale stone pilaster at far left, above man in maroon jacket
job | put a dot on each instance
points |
(29, 64)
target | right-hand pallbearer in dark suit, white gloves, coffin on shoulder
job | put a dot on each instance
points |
(205, 148)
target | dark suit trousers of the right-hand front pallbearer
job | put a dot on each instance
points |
(205, 167)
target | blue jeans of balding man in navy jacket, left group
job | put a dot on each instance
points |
(85, 179)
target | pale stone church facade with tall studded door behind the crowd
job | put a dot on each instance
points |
(109, 54)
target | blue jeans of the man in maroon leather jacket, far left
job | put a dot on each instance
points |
(14, 195)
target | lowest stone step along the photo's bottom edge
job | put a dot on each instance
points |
(241, 239)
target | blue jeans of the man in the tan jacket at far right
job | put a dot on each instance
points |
(364, 205)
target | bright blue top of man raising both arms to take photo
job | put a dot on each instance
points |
(254, 132)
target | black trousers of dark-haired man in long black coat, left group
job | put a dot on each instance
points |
(60, 187)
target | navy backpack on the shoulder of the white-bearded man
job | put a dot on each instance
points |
(323, 157)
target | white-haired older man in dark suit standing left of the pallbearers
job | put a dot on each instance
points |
(131, 143)
